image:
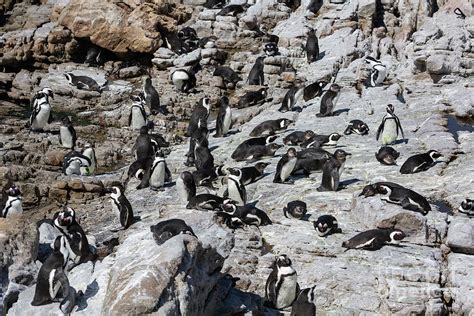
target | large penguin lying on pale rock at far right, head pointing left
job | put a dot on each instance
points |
(396, 194)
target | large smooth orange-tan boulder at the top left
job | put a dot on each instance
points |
(122, 27)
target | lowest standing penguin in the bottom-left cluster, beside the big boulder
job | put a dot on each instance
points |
(52, 284)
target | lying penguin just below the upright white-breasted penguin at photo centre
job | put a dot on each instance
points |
(247, 214)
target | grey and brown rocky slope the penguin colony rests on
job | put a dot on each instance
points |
(428, 51)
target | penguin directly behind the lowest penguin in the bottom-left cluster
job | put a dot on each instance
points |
(65, 222)
